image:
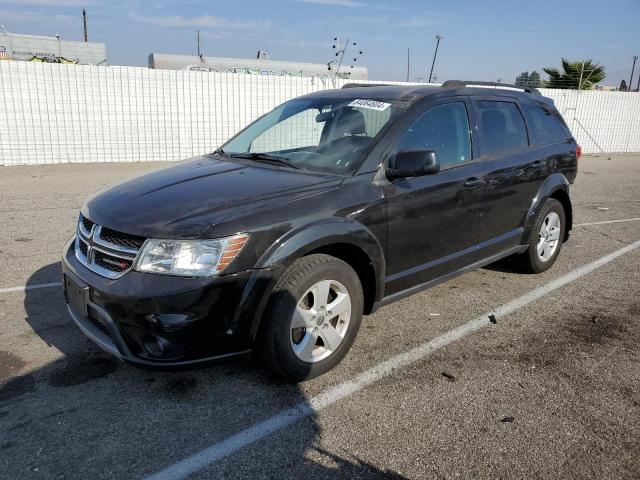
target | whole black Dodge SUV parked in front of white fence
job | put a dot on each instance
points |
(323, 210)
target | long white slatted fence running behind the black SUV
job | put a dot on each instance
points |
(51, 113)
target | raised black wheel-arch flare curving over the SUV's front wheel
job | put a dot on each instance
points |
(297, 243)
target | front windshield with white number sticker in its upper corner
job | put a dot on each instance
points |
(319, 134)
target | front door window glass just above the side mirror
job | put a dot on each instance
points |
(443, 129)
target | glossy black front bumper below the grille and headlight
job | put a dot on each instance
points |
(165, 321)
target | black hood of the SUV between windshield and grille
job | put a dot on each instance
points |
(186, 199)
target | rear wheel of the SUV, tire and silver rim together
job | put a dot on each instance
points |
(551, 214)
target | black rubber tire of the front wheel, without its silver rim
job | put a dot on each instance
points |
(274, 341)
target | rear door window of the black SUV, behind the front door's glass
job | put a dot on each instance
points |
(502, 126)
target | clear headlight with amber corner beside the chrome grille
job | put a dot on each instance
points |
(189, 258)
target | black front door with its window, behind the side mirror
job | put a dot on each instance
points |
(434, 221)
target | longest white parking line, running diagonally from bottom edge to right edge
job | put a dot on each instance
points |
(250, 435)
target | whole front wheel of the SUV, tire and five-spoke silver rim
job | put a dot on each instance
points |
(303, 352)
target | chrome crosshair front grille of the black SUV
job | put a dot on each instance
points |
(108, 259)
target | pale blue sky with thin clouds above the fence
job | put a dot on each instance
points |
(483, 40)
